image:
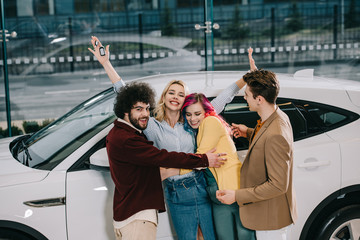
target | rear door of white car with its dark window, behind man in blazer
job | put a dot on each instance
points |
(317, 162)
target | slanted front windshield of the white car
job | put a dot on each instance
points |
(51, 145)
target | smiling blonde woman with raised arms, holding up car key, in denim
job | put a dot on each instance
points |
(186, 196)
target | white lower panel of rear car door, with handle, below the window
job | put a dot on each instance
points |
(316, 175)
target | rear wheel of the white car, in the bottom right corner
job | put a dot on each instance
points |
(343, 224)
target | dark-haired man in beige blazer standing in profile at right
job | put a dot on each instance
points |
(266, 196)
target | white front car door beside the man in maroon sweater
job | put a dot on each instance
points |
(89, 195)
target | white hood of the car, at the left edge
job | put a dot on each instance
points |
(13, 172)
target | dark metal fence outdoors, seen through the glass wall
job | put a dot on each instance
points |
(288, 34)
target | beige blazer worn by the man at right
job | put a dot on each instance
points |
(266, 196)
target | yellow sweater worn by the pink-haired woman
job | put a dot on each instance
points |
(213, 134)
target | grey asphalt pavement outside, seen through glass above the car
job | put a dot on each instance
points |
(50, 96)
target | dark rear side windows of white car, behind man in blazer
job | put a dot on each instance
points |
(307, 118)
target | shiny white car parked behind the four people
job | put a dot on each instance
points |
(56, 184)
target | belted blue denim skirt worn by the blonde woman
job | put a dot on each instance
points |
(189, 205)
